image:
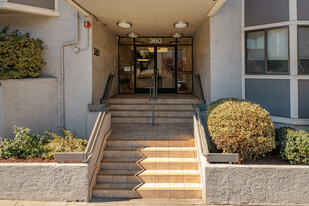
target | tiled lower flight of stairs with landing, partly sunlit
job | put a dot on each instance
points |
(146, 161)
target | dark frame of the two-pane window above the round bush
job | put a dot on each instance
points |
(266, 72)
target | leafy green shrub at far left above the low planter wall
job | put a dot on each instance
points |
(23, 145)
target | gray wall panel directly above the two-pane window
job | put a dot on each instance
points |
(266, 11)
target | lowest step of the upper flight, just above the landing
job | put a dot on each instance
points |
(157, 120)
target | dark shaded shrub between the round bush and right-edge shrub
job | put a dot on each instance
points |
(281, 134)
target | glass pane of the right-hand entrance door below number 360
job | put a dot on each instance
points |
(166, 67)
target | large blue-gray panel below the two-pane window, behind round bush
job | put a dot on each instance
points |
(271, 94)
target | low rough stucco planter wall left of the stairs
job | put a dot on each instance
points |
(44, 181)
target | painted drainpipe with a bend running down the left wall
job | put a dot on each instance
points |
(62, 72)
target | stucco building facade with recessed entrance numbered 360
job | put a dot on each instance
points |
(249, 49)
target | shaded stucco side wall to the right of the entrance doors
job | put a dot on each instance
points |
(201, 56)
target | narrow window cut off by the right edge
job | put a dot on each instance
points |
(303, 50)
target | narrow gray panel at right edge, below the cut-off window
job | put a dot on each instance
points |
(303, 99)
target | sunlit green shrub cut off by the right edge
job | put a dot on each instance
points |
(297, 147)
